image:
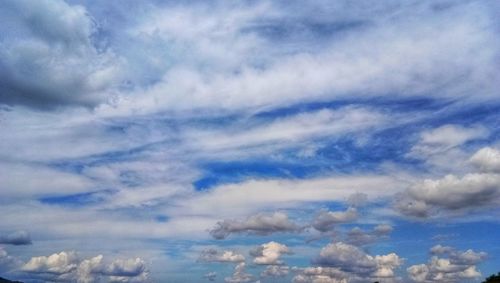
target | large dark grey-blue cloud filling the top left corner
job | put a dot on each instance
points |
(53, 59)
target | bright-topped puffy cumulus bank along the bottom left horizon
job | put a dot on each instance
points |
(68, 267)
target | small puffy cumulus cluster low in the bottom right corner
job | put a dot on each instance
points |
(453, 267)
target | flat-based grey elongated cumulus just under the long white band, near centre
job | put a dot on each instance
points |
(260, 224)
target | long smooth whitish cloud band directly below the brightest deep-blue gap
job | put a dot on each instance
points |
(256, 195)
